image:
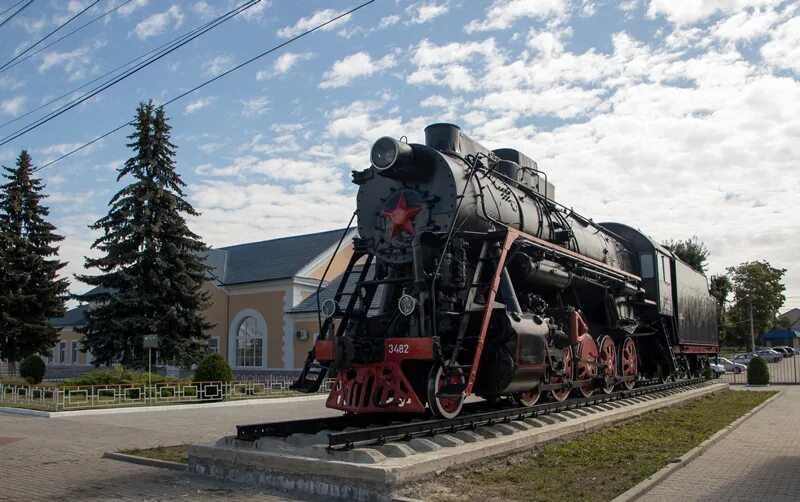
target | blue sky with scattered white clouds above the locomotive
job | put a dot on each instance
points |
(679, 118)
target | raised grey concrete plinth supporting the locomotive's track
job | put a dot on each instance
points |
(304, 465)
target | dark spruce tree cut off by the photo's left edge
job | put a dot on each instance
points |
(30, 290)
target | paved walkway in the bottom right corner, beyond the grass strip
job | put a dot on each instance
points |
(758, 461)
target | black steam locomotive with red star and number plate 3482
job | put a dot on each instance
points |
(469, 278)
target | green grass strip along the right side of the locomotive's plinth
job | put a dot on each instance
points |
(599, 465)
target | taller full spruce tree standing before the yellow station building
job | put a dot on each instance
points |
(151, 266)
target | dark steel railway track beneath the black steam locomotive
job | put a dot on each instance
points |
(350, 431)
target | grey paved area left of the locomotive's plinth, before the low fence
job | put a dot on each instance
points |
(61, 458)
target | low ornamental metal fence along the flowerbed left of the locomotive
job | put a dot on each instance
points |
(81, 397)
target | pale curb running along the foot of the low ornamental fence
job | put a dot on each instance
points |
(166, 407)
